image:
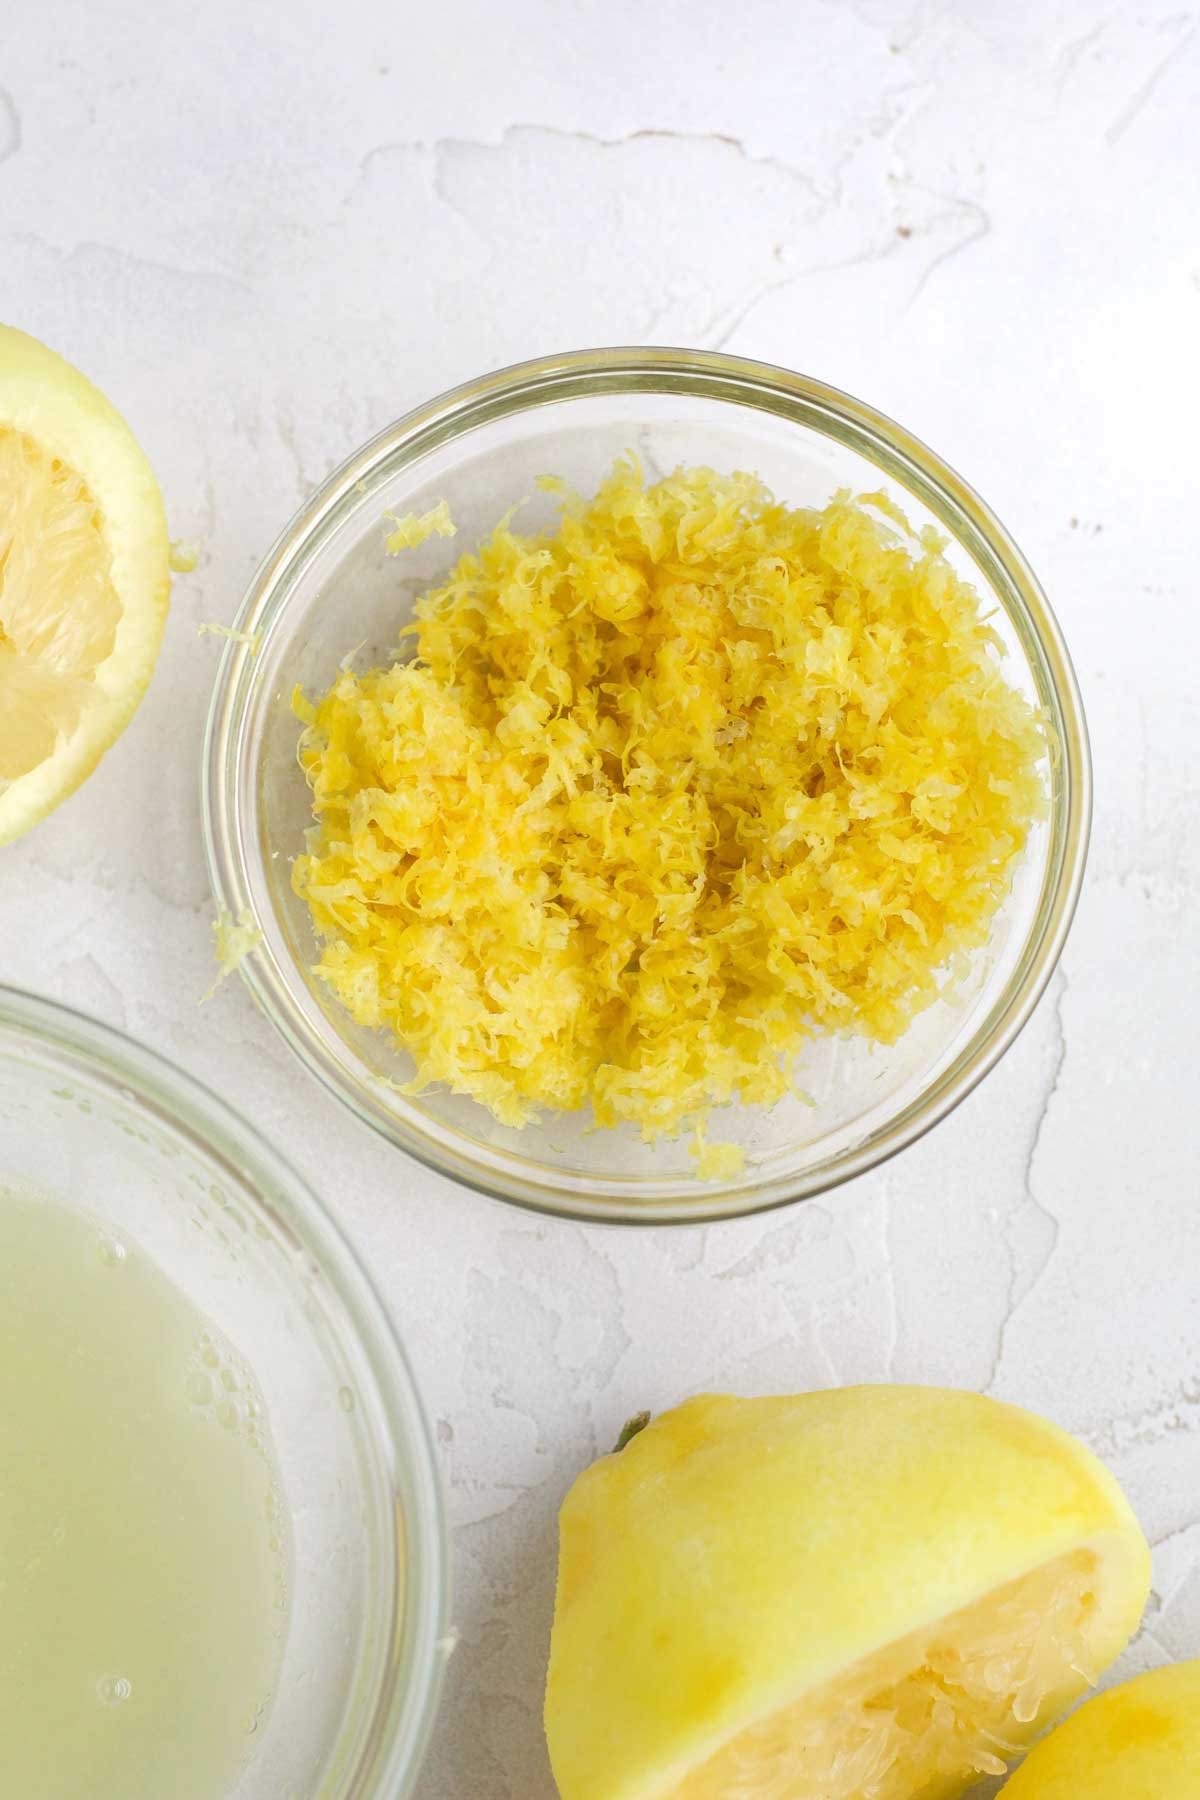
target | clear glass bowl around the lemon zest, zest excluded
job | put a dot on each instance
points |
(328, 593)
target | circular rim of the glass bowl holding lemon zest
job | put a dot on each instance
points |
(794, 399)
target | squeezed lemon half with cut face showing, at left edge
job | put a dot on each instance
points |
(84, 579)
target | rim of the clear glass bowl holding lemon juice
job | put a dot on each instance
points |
(400, 1725)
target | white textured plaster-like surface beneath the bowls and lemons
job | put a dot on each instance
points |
(267, 231)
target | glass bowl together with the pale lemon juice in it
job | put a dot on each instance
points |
(222, 1542)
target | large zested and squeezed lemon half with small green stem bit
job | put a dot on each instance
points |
(872, 1594)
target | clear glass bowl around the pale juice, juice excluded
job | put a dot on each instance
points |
(87, 1117)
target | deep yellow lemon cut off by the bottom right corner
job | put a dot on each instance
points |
(1140, 1741)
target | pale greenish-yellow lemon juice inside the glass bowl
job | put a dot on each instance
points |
(143, 1556)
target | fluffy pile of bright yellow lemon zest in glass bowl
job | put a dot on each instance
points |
(663, 793)
